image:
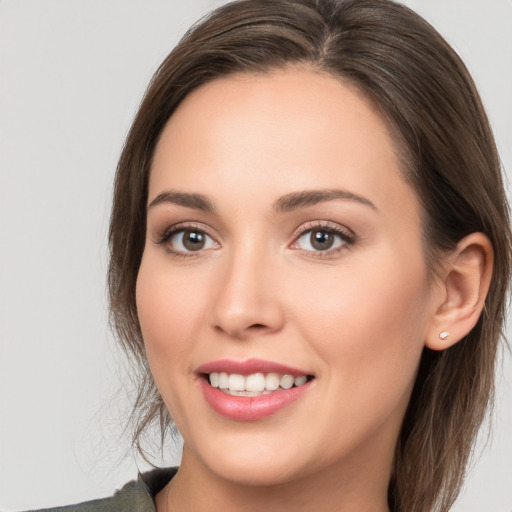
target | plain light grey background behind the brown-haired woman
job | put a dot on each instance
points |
(72, 73)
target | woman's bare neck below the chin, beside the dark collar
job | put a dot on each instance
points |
(362, 488)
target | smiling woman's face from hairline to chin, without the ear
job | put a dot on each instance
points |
(282, 240)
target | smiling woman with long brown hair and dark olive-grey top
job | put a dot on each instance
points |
(310, 254)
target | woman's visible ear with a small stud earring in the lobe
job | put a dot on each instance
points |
(463, 286)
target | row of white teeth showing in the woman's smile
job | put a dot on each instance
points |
(254, 384)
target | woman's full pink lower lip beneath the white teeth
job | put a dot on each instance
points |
(245, 408)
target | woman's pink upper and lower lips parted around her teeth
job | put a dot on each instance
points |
(244, 408)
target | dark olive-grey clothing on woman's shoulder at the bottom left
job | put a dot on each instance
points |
(136, 496)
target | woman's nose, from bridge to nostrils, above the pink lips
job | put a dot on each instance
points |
(246, 301)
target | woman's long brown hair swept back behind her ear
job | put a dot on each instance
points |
(423, 90)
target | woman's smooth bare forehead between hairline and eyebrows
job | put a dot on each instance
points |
(269, 132)
